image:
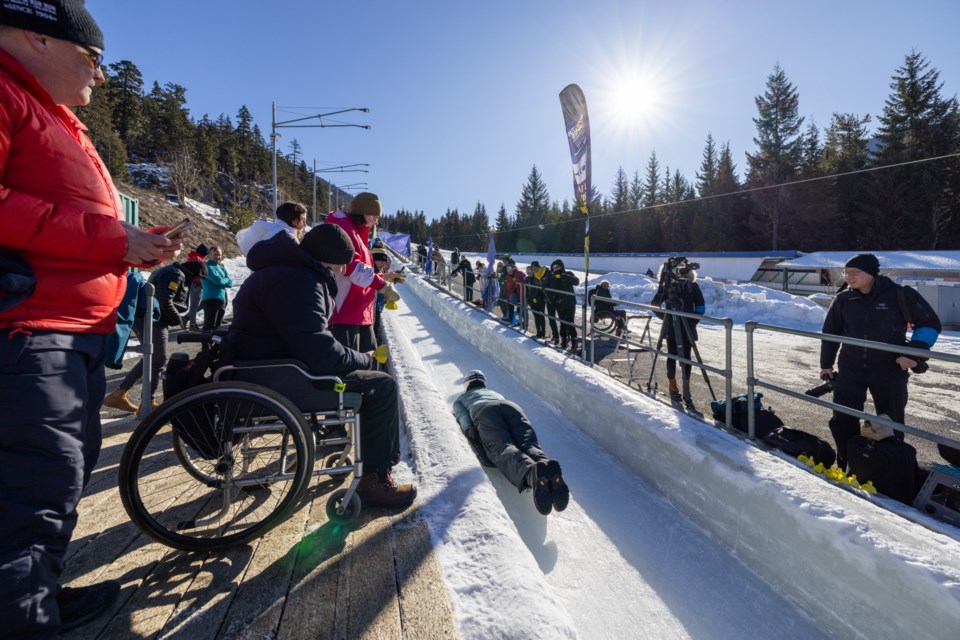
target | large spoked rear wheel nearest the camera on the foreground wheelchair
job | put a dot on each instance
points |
(204, 471)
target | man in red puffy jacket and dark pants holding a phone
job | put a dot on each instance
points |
(61, 219)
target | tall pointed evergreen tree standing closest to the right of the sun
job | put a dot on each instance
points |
(779, 152)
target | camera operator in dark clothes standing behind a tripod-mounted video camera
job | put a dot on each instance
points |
(679, 291)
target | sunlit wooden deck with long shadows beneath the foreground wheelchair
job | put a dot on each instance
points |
(307, 578)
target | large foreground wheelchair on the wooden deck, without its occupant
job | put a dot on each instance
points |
(223, 462)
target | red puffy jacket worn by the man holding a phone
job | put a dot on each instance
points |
(59, 210)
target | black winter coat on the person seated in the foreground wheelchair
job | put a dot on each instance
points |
(283, 308)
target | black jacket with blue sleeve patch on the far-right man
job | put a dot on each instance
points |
(876, 316)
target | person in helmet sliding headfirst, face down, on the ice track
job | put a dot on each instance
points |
(501, 436)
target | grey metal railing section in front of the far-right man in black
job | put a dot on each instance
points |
(753, 382)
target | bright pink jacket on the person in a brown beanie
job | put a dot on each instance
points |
(357, 287)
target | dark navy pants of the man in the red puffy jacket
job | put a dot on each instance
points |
(51, 387)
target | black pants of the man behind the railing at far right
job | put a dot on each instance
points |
(888, 388)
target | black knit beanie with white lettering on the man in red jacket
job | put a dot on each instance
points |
(64, 19)
